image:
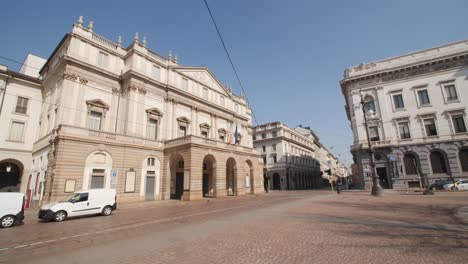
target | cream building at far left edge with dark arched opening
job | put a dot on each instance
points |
(20, 106)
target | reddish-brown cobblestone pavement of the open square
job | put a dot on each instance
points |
(281, 227)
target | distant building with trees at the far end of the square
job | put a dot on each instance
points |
(292, 158)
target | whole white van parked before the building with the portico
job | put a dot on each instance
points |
(89, 202)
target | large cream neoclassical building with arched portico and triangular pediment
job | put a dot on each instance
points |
(133, 120)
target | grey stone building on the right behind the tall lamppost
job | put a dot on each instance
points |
(418, 123)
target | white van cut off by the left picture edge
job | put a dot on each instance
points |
(11, 208)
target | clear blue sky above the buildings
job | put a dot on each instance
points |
(290, 55)
